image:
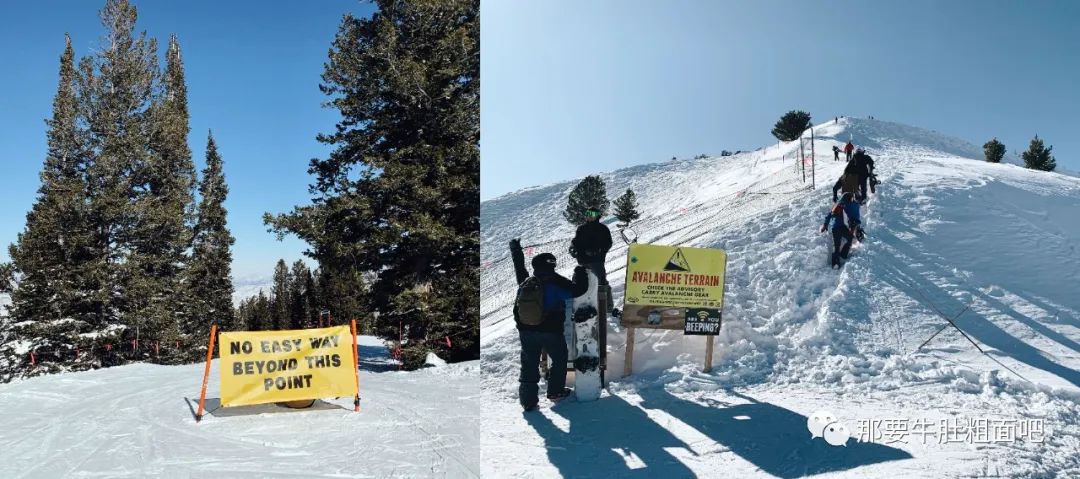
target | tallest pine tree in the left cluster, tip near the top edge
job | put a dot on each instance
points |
(120, 84)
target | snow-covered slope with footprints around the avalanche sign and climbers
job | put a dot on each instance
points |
(948, 234)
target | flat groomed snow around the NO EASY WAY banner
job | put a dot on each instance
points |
(138, 421)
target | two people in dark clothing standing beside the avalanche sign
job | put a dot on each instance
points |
(541, 310)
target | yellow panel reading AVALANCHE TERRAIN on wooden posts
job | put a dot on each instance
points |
(676, 277)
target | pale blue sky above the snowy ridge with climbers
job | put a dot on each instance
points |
(578, 88)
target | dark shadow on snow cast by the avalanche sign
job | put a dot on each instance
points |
(773, 439)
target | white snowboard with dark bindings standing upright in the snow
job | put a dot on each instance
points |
(587, 360)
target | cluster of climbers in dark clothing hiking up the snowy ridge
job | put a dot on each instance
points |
(845, 215)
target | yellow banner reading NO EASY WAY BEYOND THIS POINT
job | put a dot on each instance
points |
(281, 366)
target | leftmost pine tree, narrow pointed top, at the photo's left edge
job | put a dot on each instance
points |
(51, 253)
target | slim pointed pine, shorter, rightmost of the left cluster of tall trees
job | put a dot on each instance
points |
(210, 278)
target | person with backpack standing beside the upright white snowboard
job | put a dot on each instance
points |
(541, 311)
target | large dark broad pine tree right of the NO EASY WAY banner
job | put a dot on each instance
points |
(399, 197)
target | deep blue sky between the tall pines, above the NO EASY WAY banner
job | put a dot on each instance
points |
(253, 72)
